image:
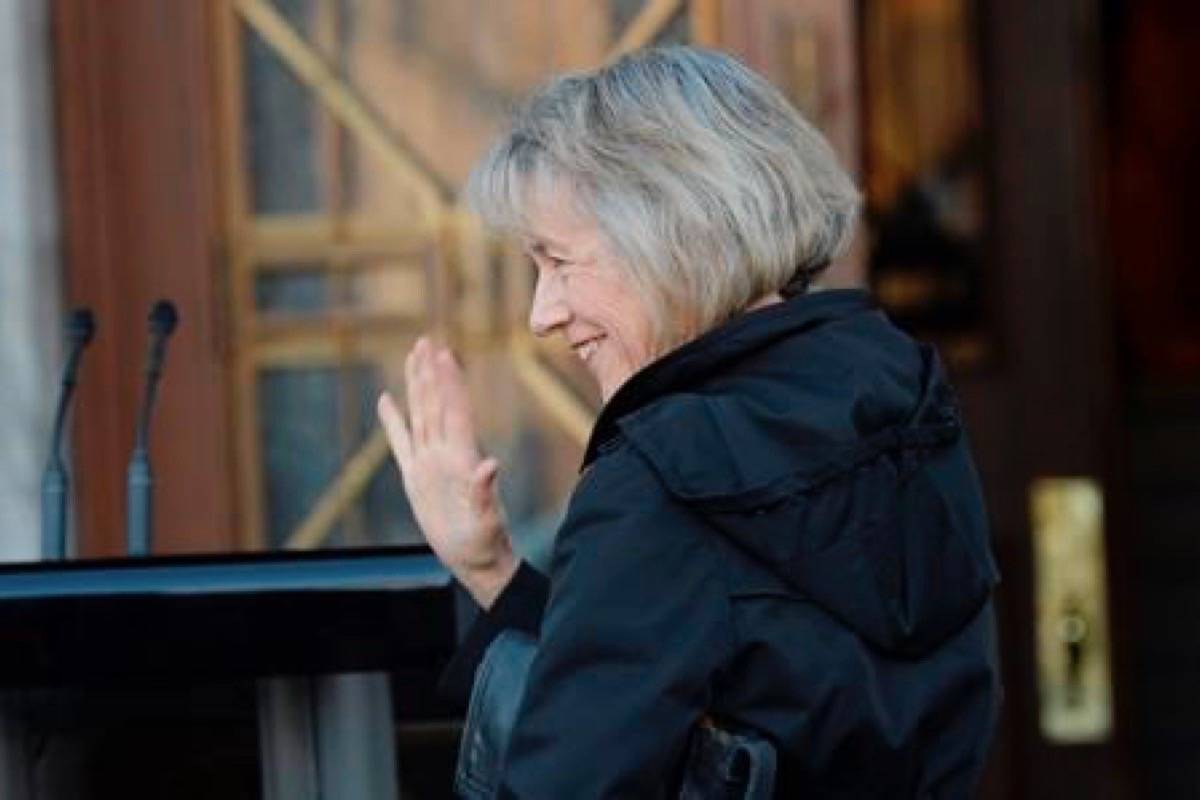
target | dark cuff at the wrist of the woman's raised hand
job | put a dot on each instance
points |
(519, 606)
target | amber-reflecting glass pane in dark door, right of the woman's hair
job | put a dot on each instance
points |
(926, 170)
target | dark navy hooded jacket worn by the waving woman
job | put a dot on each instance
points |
(779, 527)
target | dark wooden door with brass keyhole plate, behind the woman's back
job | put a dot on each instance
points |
(981, 170)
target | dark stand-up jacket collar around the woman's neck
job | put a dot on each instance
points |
(692, 363)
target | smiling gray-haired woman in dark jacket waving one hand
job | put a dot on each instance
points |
(778, 530)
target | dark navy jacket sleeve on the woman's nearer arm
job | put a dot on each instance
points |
(635, 633)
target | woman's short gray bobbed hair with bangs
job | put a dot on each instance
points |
(706, 183)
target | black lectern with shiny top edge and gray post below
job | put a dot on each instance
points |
(320, 635)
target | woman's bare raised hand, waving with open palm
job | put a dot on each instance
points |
(451, 486)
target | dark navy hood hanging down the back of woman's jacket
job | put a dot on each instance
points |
(829, 447)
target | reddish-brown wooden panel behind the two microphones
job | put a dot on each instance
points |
(135, 97)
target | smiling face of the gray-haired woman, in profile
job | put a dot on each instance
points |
(586, 296)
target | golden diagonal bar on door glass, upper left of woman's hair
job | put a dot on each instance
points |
(345, 105)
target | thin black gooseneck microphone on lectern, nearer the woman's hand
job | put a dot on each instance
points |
(140, 482)
